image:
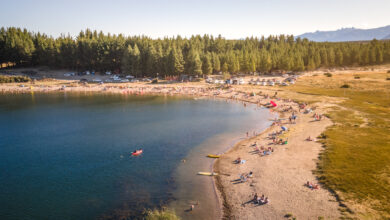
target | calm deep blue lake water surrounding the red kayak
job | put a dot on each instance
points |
(66, 156)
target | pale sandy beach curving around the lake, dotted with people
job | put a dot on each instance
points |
(280, 176)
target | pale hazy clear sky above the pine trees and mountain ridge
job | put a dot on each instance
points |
(231, 19)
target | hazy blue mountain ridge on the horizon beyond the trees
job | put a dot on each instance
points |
(349, 34)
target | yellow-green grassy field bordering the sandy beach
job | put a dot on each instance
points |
(356, 159)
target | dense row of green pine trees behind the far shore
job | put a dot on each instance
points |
(140, 55)
